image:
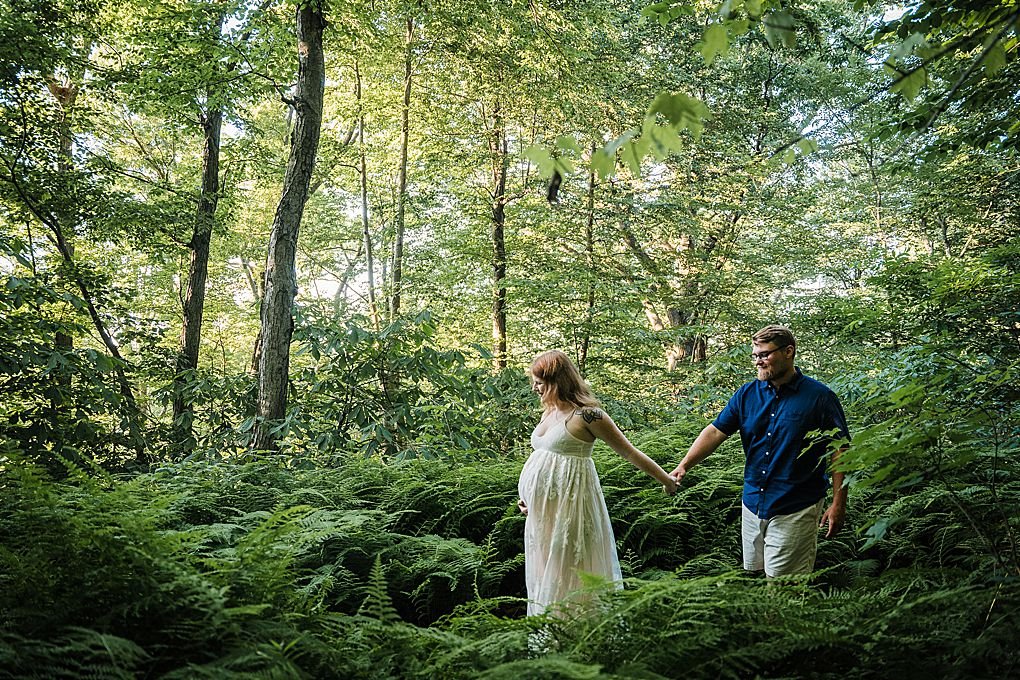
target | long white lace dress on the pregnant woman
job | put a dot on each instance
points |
(568, 531)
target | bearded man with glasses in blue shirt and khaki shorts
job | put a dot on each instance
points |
(785, 474)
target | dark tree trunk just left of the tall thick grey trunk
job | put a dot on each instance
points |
(194, 304)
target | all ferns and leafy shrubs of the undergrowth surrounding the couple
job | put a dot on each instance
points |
(385, 543)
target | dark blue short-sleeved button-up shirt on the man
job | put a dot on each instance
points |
(784, 473)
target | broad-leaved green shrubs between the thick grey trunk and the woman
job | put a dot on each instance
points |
(394, 393)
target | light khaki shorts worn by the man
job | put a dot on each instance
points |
(784, 545)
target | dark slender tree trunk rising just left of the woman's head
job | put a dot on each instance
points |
(501, 160)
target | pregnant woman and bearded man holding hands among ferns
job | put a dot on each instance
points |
(569, 533)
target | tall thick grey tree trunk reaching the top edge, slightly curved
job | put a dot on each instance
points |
(281, 274)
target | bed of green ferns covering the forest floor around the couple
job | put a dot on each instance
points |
(284, 567)
